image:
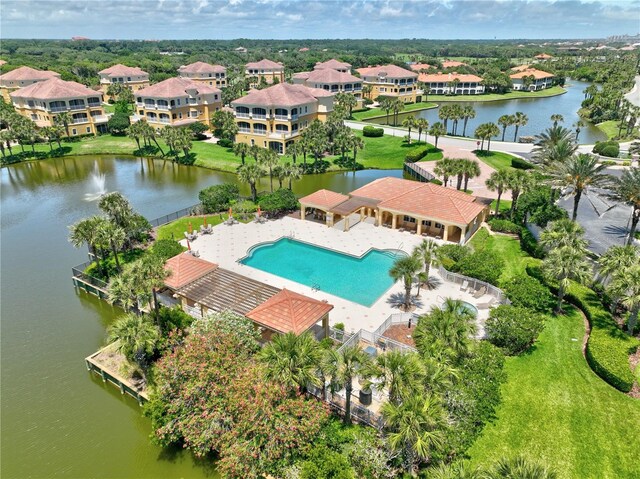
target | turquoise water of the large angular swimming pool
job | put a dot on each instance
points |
(359, 279)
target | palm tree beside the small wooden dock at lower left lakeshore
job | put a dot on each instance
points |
(137, 338)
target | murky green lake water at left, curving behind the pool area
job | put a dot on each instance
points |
(57, 419)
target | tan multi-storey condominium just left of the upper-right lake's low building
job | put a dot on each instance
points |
(390, 81)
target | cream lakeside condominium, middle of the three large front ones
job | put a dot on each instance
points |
(177, 102)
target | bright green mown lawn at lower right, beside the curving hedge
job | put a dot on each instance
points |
(554, 407)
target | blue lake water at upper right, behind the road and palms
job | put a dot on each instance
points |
(539, 111)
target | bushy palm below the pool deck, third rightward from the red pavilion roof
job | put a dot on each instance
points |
(402, 374)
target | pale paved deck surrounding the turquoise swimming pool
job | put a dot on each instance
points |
(230, 243)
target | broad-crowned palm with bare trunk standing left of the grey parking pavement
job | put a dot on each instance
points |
(578, 174)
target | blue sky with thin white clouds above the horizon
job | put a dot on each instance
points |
(281, 19)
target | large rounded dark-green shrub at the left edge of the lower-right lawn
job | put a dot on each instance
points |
(513, 328)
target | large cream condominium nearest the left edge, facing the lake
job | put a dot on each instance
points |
(44, 100)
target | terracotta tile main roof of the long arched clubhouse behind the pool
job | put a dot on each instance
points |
(422, 199)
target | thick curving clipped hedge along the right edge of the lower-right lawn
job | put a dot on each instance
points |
(608, 348)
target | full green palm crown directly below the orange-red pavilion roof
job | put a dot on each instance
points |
(292, 360)
